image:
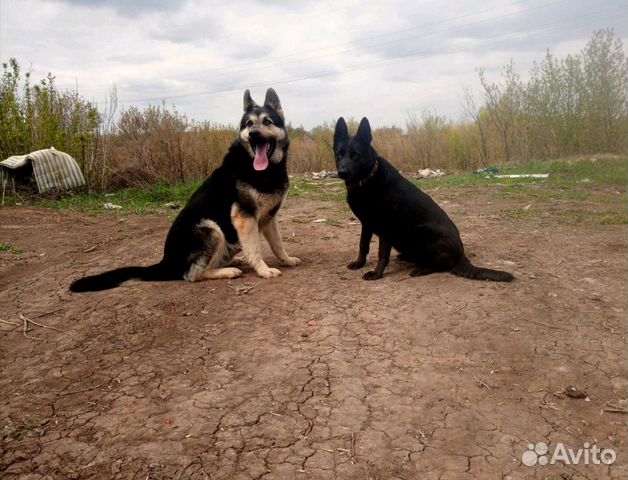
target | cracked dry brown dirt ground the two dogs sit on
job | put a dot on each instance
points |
(316, 374)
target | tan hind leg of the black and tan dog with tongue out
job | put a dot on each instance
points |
(207, 264)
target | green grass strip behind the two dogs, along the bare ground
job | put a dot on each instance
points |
(577, 180)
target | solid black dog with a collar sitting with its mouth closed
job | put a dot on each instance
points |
(402, 216)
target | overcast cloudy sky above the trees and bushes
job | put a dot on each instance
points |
(382, 59)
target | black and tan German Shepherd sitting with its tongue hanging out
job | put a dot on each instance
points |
(238, 202)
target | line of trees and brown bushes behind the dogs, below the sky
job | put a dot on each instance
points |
(567, 106)
